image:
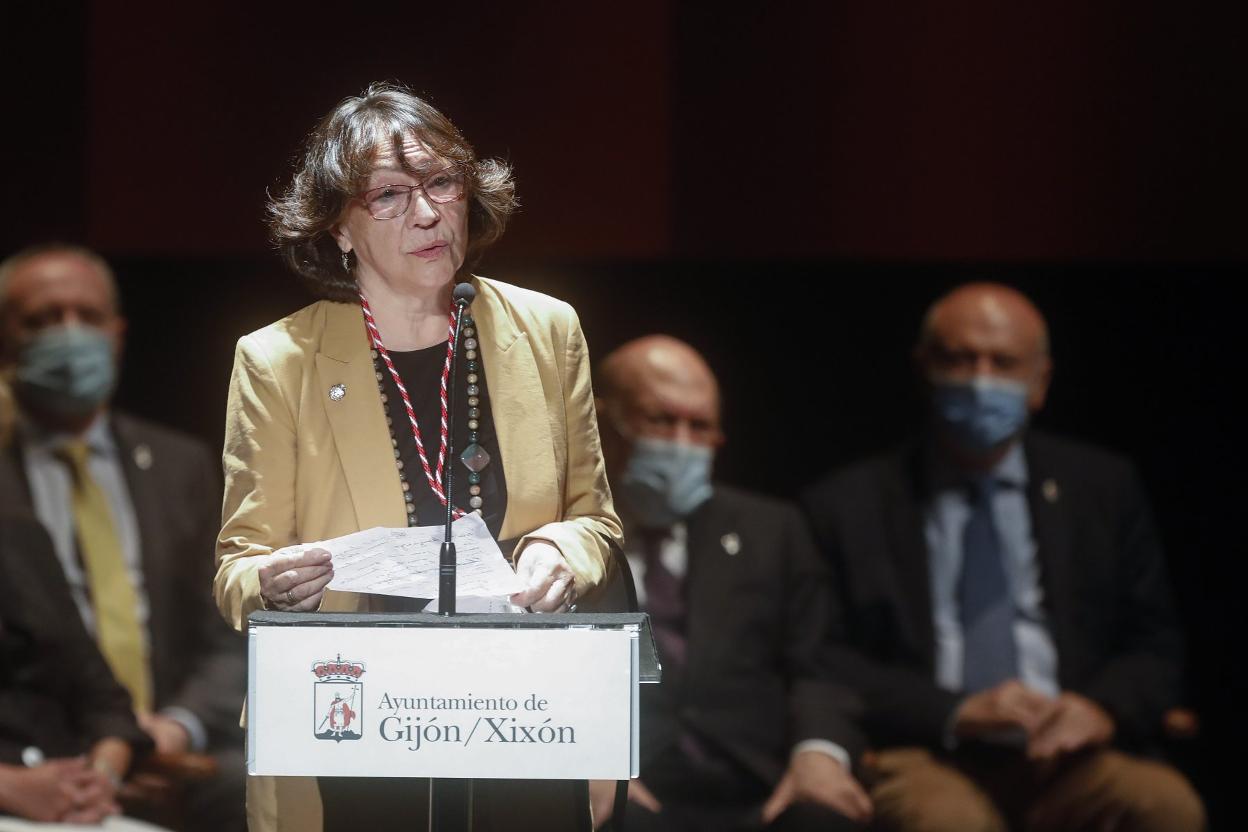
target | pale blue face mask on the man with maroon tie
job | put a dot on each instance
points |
(666, 481)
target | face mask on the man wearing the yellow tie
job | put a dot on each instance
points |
(68, 371)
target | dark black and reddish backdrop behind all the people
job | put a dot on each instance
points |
(786, 188)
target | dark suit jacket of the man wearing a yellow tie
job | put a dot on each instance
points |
(199, 663)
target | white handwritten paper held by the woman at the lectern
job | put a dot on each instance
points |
(405, 562)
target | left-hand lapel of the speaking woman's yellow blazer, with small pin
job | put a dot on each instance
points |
(358, 420)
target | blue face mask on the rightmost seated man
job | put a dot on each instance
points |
(982, 414)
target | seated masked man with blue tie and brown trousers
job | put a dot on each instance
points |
(1007, 602)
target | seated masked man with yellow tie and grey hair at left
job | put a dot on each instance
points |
(132, 508)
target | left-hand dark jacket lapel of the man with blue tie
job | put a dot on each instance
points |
(909, 549)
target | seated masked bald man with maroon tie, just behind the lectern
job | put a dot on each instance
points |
(739, 735)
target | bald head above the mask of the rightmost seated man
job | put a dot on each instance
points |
(987, 330)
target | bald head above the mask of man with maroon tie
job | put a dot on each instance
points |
(656, 387)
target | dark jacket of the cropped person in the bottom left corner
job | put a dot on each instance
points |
(57, 693)
